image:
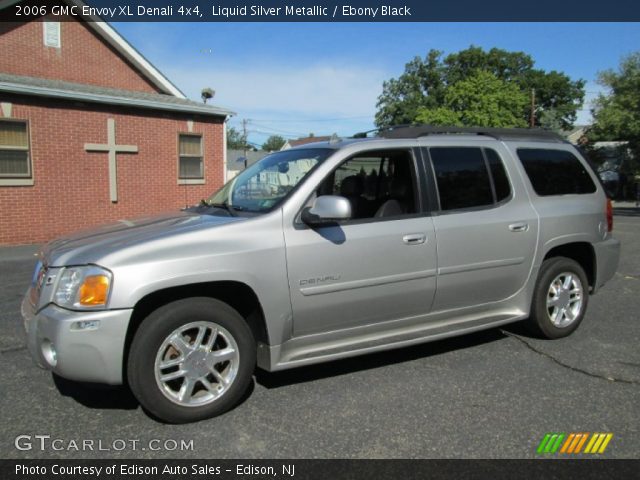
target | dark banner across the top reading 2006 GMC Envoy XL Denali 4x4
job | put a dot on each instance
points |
(321, 10)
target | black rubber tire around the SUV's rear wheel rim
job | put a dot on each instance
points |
(540, 322)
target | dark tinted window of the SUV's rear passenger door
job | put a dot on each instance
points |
(466, 179)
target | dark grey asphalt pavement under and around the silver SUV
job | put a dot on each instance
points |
(493, 394)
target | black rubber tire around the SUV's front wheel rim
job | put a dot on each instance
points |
(152, 335)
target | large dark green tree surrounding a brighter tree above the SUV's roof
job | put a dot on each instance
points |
(425, 84)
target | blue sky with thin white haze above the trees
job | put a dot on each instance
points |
(295, 78)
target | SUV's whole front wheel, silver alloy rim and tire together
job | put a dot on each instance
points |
(191, 359)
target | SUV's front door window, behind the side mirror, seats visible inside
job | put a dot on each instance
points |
(377, 184)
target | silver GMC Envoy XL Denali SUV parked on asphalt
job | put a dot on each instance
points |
(323, 252)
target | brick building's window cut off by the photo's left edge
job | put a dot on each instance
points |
(14, 150)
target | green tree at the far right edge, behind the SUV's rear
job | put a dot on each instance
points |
(616, 114)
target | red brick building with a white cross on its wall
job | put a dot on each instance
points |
(91, 132)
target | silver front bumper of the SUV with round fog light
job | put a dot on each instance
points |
(94, 354)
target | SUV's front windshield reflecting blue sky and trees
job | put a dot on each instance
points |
(265, 184)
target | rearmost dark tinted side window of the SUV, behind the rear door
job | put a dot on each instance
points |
(555, 172)
